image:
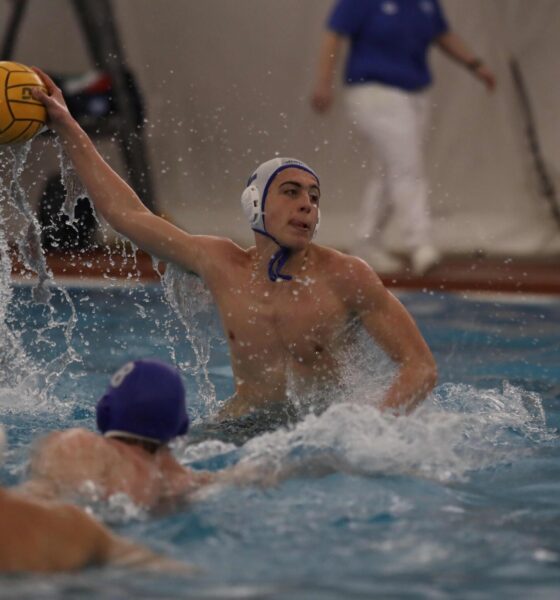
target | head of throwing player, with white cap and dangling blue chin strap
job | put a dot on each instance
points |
(281, 201)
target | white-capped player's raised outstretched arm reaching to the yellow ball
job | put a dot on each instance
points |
(114, 198)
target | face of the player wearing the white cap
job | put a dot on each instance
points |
(292, 207)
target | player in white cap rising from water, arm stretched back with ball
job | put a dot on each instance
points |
(289, 307)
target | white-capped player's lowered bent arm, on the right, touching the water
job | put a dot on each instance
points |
(392, 327)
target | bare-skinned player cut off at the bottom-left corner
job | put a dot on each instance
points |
(42, 536)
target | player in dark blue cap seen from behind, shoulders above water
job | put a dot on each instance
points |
(143, 409)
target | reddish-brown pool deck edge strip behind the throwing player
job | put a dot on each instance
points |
(457, 273)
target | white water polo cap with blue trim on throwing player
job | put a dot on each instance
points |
(254, 195)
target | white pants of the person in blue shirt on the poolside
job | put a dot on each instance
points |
(394, 122)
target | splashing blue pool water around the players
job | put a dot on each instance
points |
(459, 500)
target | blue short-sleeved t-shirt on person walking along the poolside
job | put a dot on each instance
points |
(389, 39)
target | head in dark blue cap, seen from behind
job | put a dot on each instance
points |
(145, 401)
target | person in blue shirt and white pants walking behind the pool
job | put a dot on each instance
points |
(387, 77)
